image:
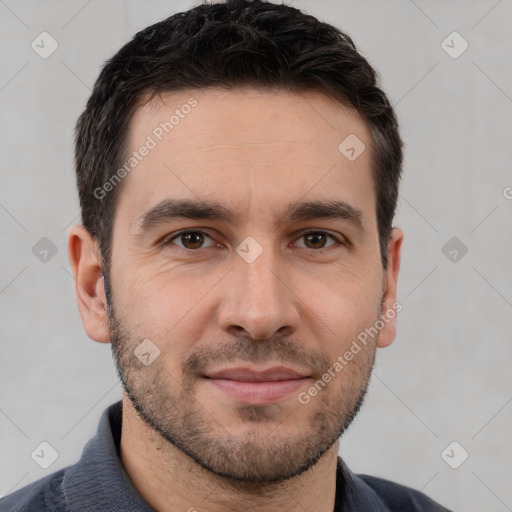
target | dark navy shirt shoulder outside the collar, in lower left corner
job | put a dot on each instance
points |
(42, 495)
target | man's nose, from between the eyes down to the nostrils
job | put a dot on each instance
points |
(257, 299)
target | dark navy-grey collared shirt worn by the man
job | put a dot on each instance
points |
(99, 483)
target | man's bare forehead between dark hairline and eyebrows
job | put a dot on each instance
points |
(246, 145)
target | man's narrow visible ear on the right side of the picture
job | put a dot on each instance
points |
(390, 307)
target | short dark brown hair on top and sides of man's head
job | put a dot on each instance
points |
(232, 44)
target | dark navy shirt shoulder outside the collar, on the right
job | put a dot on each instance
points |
(400, 497)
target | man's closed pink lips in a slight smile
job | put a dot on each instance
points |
(250, 386)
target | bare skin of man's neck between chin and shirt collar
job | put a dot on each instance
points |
(169, 480)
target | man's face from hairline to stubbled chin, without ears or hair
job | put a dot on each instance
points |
(259, 290)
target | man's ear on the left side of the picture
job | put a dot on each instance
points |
(83, 254)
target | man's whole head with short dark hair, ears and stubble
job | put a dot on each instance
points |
(233, 121)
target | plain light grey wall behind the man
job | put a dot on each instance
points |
(445, 378)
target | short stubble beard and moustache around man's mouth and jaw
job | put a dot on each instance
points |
(266, 452)
